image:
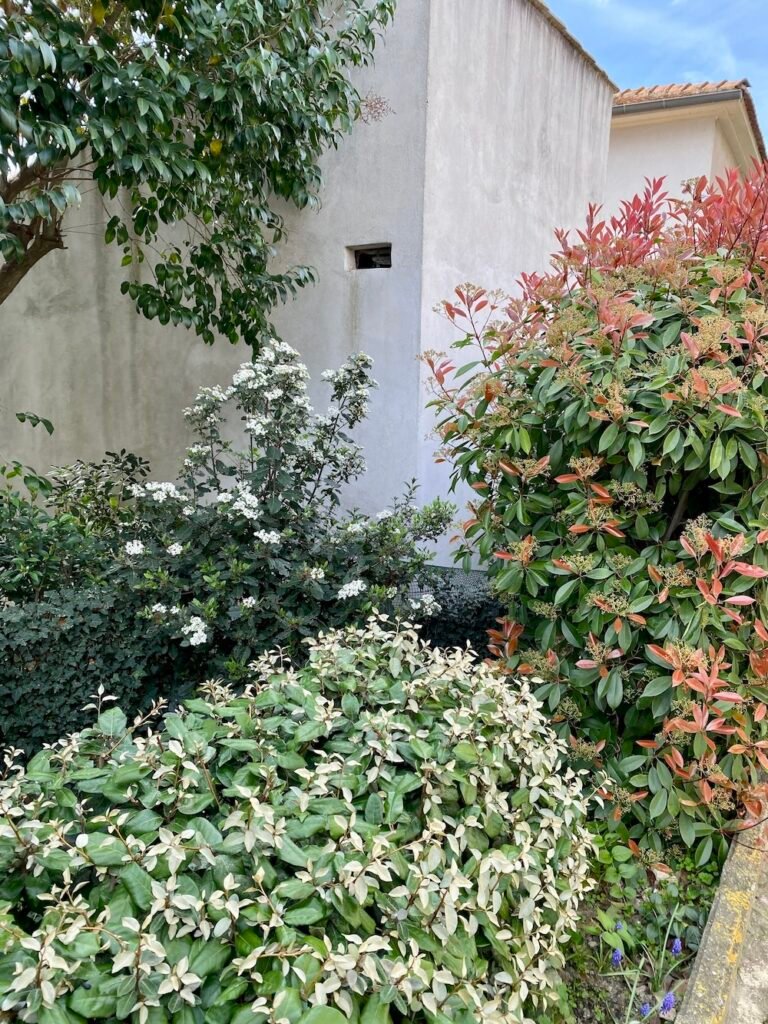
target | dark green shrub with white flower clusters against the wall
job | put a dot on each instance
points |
(252, 546)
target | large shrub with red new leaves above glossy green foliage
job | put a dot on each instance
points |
(613, 424)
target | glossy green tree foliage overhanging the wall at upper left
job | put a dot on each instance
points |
(203, 112)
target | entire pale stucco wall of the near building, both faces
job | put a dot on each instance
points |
(498, 134)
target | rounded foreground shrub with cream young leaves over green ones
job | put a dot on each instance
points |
(386, 834)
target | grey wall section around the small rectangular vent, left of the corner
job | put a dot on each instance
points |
(374, 193)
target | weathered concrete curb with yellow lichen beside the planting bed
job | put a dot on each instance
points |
(710, 997)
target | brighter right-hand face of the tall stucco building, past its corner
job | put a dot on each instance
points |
(517, 147)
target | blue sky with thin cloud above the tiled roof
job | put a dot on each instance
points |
(655, 42)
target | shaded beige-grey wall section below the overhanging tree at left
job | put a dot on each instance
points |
(76, 352)
